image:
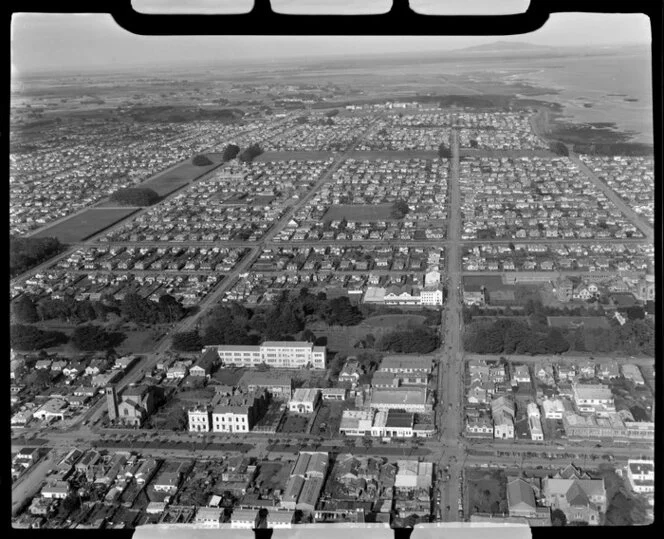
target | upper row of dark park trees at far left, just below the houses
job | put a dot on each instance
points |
(133, 308)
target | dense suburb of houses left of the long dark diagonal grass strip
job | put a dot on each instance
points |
(73, 166)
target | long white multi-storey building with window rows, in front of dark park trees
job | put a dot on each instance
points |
(284, 354)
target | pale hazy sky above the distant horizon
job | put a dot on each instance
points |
(95, 41)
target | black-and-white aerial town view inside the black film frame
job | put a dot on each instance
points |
(265, 281)
